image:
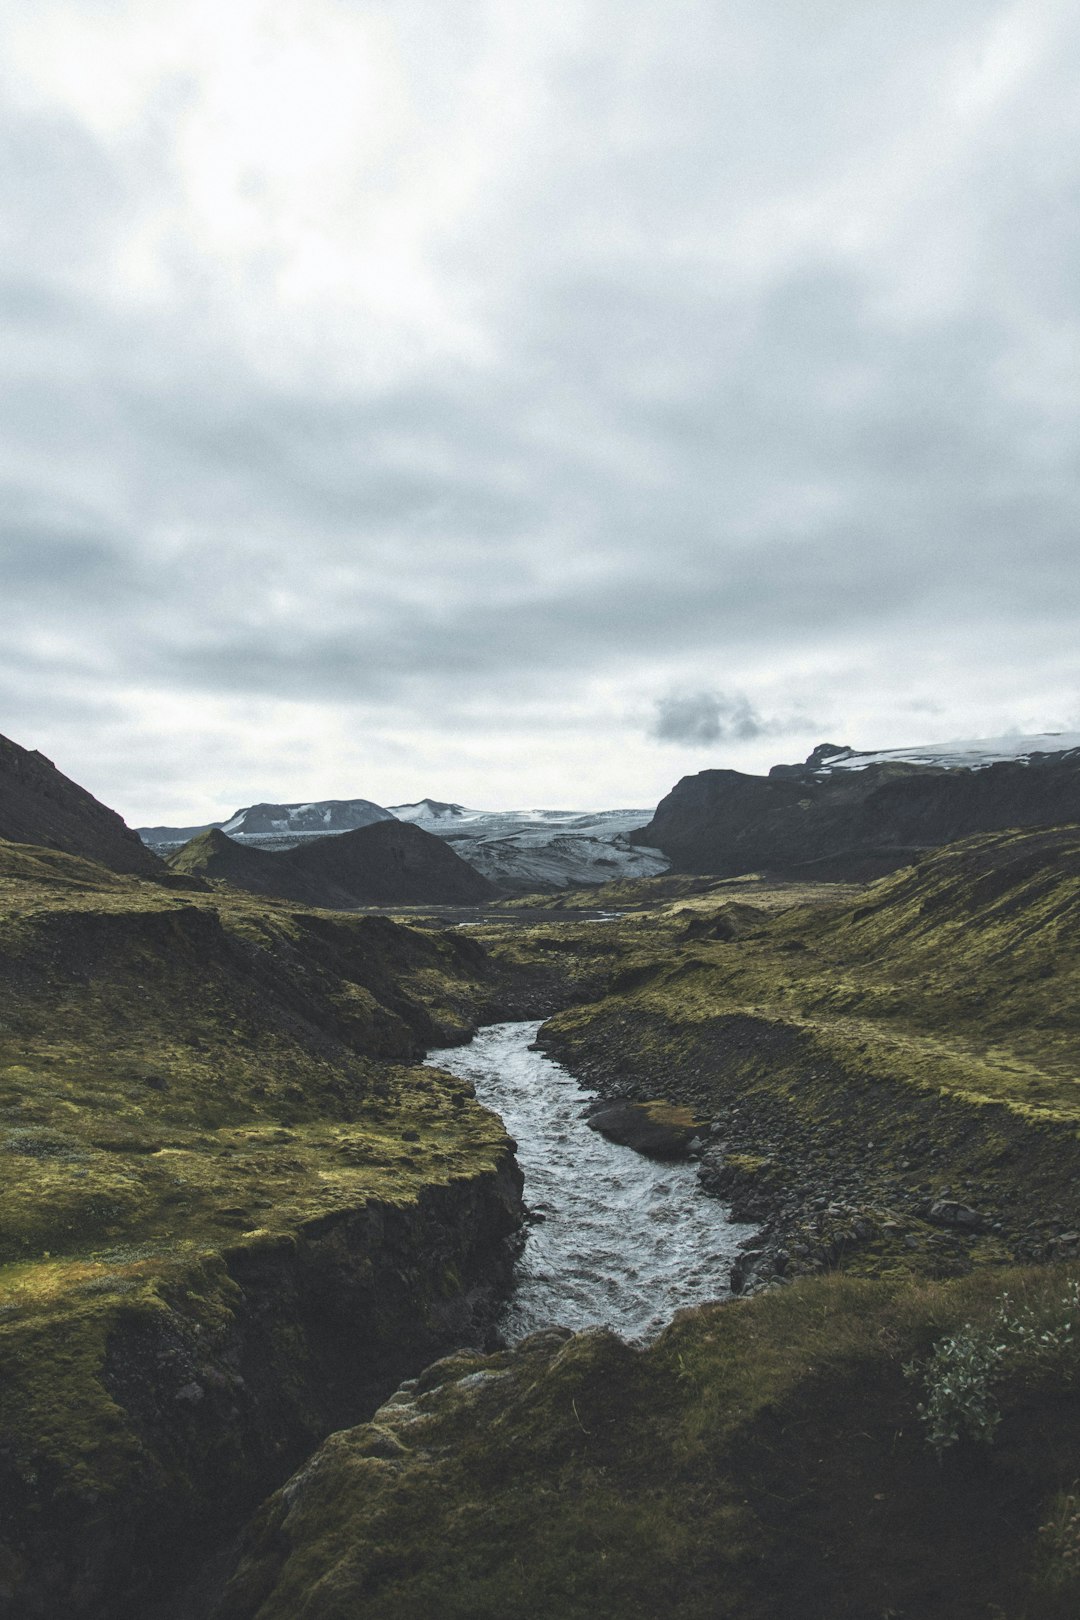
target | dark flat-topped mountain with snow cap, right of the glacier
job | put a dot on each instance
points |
(859, 816)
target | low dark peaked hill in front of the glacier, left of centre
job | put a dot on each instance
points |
(383, 864)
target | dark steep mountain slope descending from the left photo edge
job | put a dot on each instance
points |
(41, 806)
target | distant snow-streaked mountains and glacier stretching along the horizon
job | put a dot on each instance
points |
(843, 812)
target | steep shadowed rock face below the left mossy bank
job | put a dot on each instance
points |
(227, 1375)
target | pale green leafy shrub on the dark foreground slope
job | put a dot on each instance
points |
(964, 1373)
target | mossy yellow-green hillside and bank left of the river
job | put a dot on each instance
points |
(195, 1094)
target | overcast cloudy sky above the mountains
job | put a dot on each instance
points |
(532, 404)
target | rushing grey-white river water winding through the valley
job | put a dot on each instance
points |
(624, 1242)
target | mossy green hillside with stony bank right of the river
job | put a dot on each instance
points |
(917, 1046)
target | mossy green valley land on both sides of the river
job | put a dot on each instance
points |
(223, 1112)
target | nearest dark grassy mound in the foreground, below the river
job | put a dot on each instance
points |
(762, 1459)
